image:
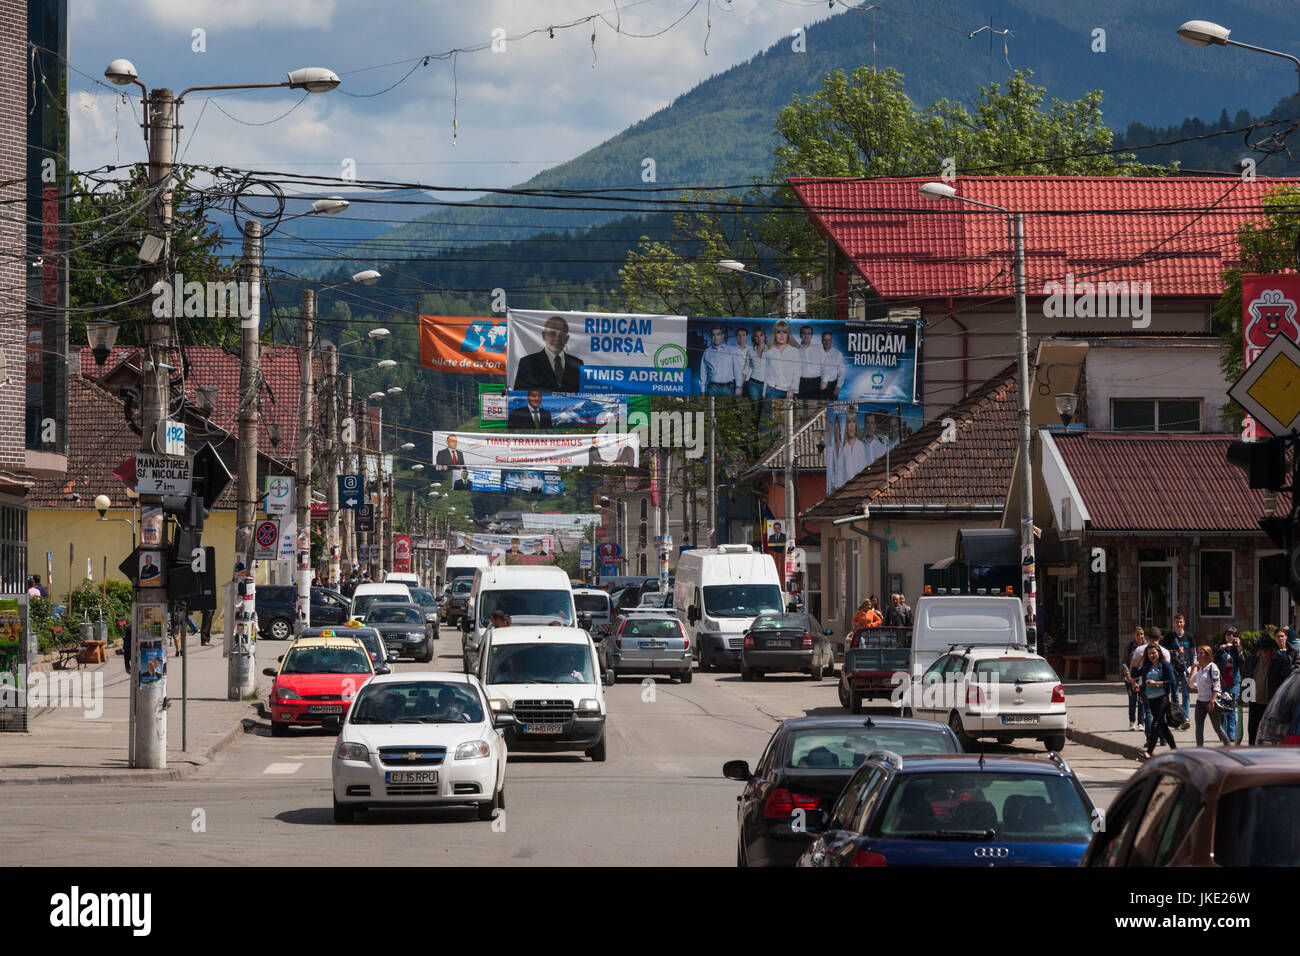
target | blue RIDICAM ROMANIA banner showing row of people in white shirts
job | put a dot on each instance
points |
(804, 358)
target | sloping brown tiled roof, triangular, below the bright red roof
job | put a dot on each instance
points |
(972, 471)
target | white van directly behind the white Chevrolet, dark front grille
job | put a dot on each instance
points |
(544, 687)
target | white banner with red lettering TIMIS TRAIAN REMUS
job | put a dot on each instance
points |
(460, 451)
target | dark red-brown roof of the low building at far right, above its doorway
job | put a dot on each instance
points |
(1176, 483)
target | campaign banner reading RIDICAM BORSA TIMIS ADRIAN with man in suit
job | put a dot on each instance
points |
(597, 353)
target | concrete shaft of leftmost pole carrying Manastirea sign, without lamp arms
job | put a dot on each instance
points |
(150, 615)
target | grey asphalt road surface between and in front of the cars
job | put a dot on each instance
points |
(660, 798)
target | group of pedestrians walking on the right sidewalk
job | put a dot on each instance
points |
(1163, 671)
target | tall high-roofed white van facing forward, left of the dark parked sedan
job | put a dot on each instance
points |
(717, 595)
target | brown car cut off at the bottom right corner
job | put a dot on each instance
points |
(1206, 807)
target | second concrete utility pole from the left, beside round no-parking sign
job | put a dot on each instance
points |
(240, 673)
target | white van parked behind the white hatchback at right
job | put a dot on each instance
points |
(946, 621)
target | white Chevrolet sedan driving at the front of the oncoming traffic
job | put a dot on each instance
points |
(419, 739)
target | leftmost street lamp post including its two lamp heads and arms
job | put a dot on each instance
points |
(149, 612)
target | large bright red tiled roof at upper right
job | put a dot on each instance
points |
(1178, 233)
